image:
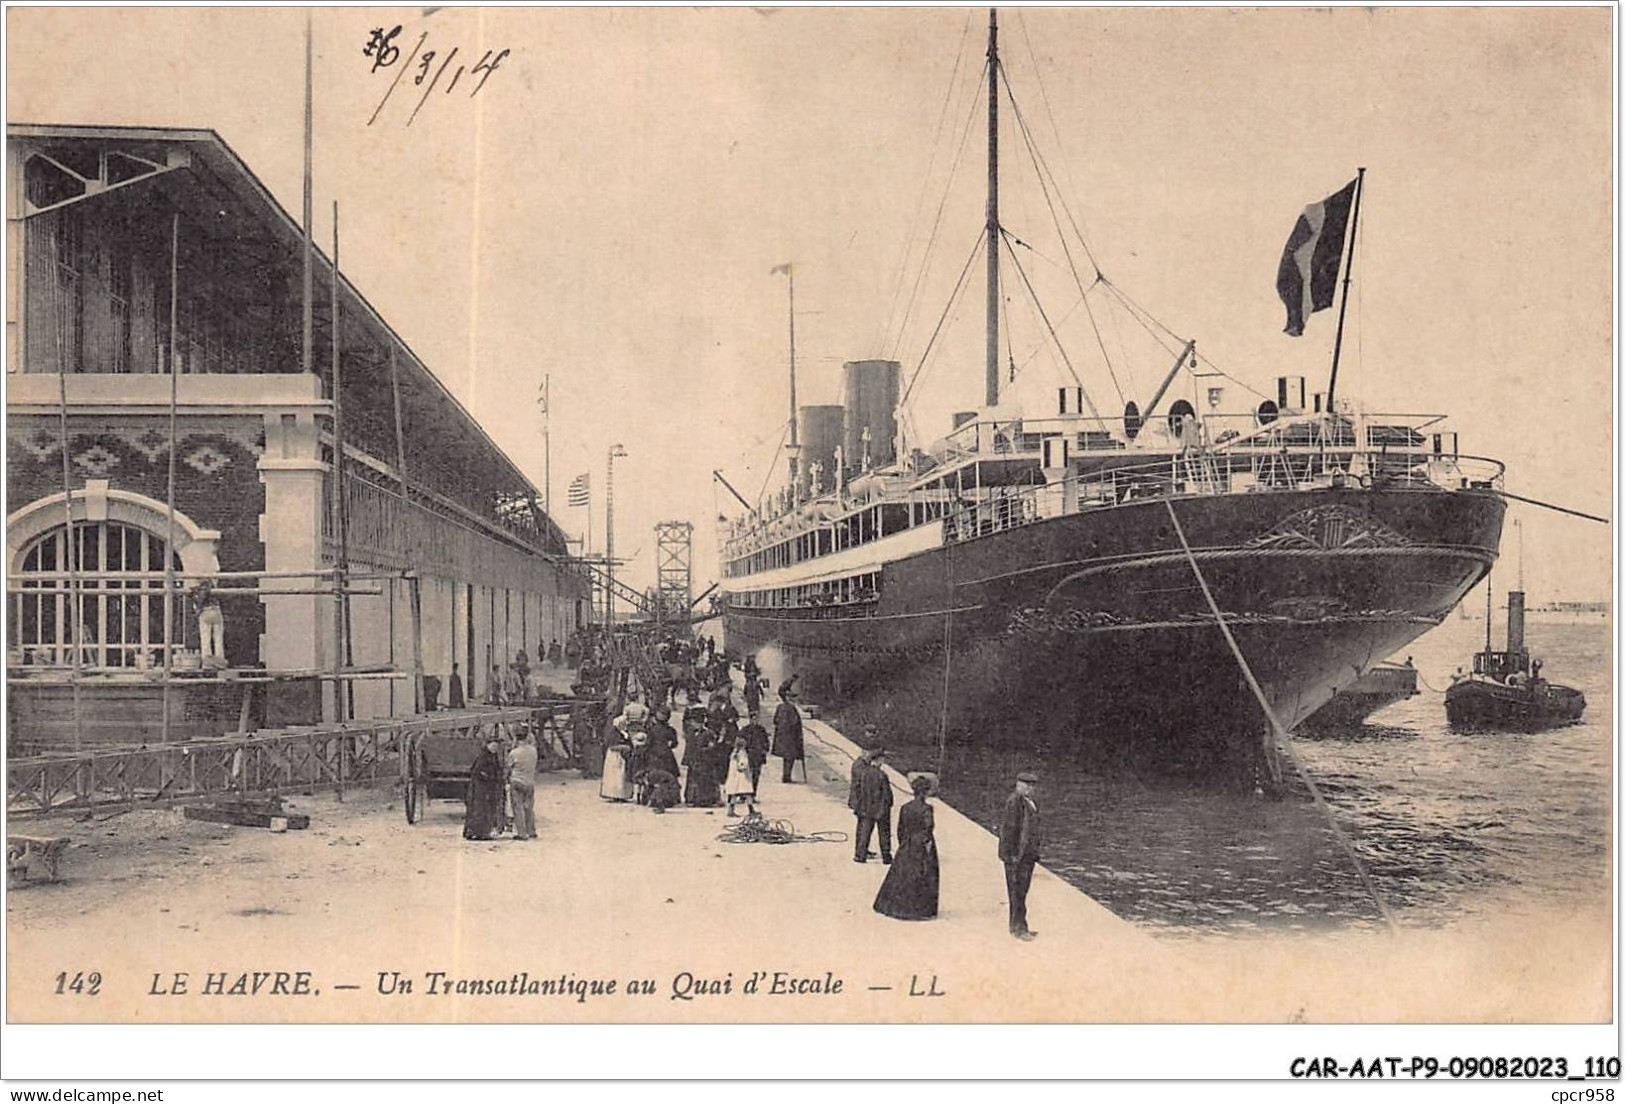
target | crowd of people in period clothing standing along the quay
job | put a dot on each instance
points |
(635, 757)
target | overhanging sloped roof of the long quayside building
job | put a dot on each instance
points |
(235, 194)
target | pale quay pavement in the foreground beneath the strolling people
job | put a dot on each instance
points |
(687, 928)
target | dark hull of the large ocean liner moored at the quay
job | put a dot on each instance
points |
(1093, 630)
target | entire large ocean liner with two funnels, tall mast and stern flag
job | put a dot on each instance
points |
(1070, 576)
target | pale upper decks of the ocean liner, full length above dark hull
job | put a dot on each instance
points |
(992, 476)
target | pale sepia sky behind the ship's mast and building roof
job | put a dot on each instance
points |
(609, 207)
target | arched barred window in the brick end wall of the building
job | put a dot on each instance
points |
(121, 591)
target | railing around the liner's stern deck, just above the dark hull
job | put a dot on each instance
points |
(1215, 474)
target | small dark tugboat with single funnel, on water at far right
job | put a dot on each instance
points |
(1506, 690)
